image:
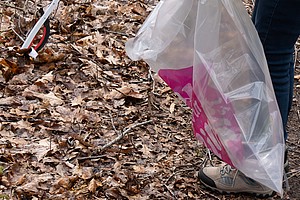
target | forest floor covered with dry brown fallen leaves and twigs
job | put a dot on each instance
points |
(83, 121)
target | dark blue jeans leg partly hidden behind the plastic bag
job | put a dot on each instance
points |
(278, 26)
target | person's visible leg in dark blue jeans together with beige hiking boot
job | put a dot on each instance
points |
(278, 25)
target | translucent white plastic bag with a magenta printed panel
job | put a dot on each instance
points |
(209, 53)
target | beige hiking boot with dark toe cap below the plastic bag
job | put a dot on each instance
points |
(228, 180)
